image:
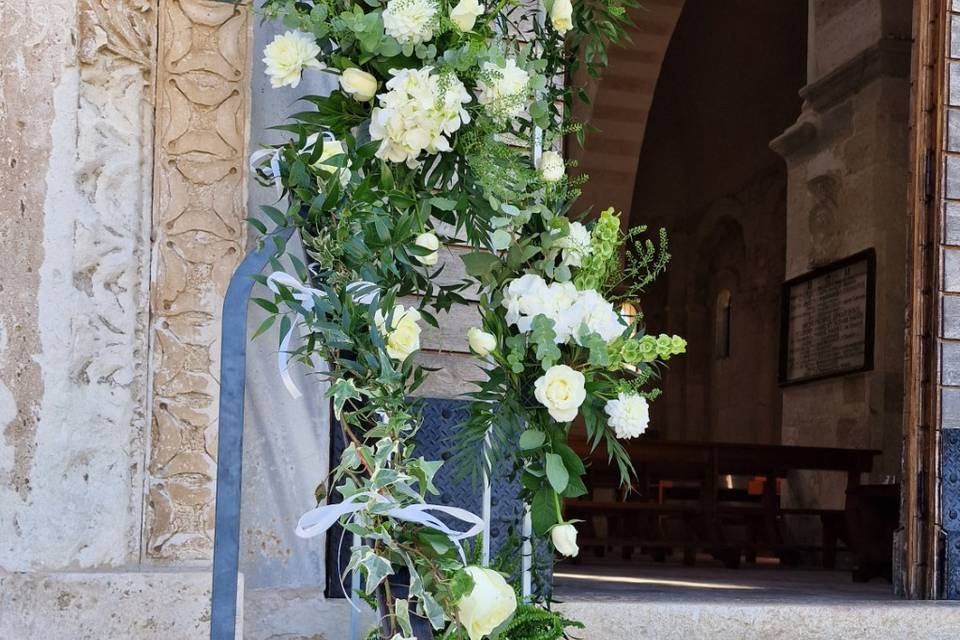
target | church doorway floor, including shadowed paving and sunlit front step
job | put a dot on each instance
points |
(620, 600)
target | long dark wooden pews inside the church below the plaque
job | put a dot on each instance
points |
(705, 509)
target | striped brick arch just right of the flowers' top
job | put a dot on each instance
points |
(620, 106)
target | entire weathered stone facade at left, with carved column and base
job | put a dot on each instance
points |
(109, 303)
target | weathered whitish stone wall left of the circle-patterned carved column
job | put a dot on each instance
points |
(77, 129)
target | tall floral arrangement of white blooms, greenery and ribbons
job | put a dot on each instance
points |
(435, 136)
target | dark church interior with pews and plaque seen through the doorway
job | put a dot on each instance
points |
(771, 141)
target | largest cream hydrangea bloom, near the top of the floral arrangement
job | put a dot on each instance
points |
(416, 114)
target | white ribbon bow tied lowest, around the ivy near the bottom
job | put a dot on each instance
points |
(316, 521)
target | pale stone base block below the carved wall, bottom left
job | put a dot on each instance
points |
(105, 606)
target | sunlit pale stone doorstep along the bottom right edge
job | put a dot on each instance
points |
(824, 620)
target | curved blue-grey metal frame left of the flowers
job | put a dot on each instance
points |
(233, 369)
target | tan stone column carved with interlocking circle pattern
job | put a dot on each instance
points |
(198, 240)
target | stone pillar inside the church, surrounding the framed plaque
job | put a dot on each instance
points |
(847, 159)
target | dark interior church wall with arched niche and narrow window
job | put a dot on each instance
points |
(707, 175)
